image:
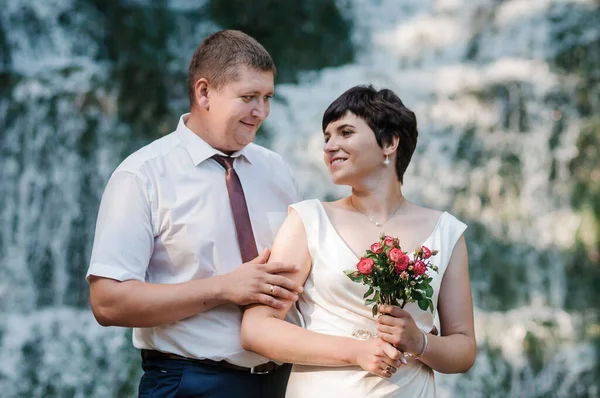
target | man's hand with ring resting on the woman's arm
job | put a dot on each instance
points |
(257, 282)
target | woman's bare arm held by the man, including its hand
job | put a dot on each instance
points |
(265, 331)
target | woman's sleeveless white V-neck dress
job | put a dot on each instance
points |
(332, 304)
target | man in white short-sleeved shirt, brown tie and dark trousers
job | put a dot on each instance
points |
(174, 227)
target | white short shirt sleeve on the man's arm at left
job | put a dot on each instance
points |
(124, 238)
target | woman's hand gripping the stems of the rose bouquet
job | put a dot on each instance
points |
(398, 328)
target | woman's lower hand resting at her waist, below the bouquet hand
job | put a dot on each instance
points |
(378, 357)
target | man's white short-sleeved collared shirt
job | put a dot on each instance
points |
(165, 218)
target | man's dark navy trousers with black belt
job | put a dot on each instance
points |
(172, 378)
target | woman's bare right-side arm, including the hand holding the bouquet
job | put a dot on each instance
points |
(455, 350)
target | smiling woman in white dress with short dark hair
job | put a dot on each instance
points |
(370, 137)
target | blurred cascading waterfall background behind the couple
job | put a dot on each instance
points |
(507, 94)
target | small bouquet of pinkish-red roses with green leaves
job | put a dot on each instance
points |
(393, 278)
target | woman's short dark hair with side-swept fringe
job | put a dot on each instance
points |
(385, 114)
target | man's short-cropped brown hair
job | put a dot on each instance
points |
(220, 55)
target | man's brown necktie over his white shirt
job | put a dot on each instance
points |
(241, 218)
